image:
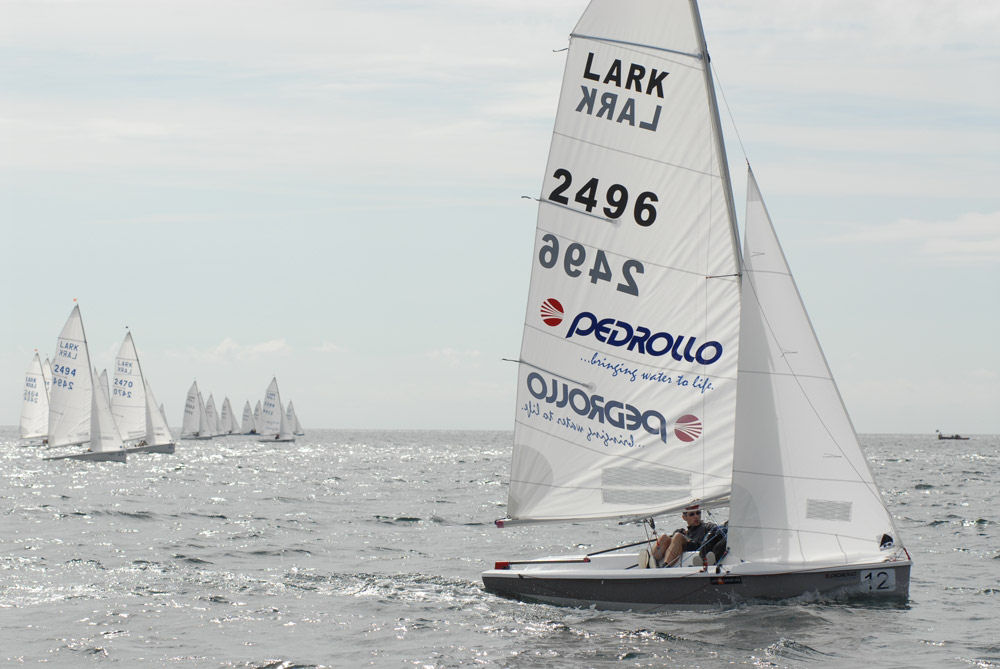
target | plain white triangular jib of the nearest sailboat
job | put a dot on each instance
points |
(802, 490)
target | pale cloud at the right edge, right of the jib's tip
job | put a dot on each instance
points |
(970, 239)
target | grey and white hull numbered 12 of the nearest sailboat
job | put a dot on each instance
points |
(614, 582)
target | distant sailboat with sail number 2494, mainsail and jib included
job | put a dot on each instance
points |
(79, 411)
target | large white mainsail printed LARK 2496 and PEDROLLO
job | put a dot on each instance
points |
(627, 376)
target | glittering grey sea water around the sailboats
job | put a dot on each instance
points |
(364, 548)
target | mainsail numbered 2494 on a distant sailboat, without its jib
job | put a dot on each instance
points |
(72, 386)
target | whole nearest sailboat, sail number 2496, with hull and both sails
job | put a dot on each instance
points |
(660, 367)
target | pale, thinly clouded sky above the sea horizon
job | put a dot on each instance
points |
(331, 193)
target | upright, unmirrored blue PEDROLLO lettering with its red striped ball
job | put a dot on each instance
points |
(636, 338)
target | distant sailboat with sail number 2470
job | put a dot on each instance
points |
(134, 407)
